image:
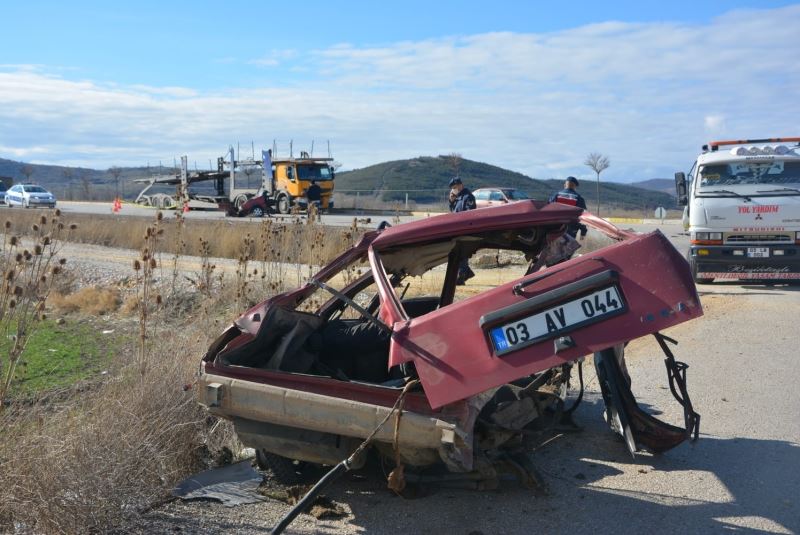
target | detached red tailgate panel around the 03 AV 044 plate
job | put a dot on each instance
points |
(455, 358)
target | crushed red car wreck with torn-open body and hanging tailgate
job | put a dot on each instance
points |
(308, 374)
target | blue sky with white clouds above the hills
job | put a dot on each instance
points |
(530, 86)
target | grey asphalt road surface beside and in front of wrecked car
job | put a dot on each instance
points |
(742, 476)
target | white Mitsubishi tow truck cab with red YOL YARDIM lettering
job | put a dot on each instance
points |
(742, 200)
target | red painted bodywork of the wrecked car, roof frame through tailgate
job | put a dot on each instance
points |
(450, 348)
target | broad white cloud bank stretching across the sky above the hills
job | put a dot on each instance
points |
(647, 95)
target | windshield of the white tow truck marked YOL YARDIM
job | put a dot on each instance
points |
(776, 172)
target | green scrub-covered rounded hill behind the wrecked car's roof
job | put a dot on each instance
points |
(425, 180)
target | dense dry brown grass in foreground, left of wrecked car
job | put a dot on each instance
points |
(107, 454)
